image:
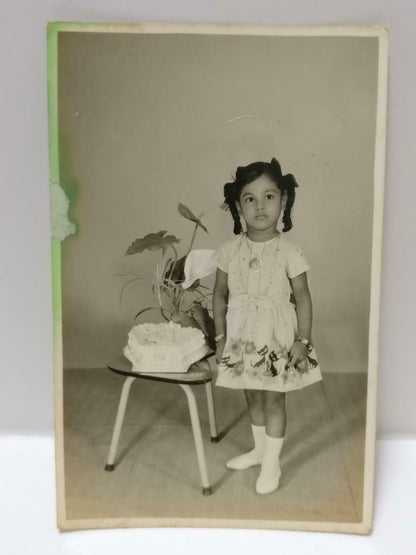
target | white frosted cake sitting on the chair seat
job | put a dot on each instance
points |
(164, 347)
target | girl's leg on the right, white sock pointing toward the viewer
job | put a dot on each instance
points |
(275, 413)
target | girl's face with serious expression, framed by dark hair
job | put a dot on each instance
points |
(261, 204)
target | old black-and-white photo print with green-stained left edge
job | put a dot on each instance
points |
(217, 201)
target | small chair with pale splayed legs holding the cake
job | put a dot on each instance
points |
(198, 373)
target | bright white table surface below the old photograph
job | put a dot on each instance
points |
(27, 514)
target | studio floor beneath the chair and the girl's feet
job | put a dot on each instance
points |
(156, 472)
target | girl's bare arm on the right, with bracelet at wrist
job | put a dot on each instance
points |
(304, 316)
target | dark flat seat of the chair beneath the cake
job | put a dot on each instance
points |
(198, 373)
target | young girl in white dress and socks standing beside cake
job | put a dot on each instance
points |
(263, 312)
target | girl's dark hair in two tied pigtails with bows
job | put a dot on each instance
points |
(246, 174)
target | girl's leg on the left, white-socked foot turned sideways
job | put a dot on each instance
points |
(255, 402)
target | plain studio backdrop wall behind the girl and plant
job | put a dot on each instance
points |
(150, 121)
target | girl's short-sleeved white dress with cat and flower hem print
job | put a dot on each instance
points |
(261, 319)
